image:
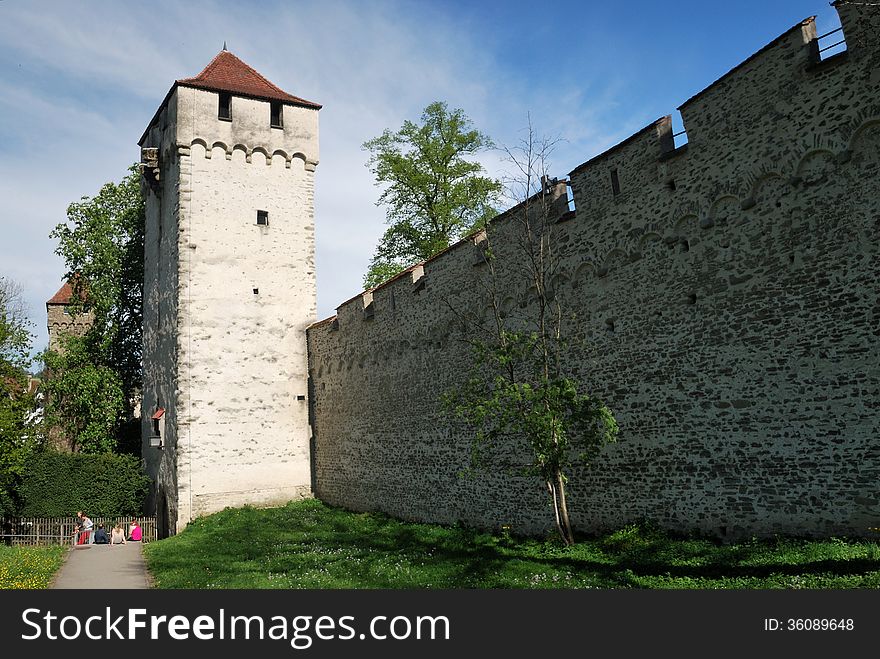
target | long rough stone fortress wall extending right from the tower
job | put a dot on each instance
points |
(724, 303)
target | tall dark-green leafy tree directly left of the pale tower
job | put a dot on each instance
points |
(102, 244)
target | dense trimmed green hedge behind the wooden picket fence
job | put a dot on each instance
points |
(59, 484)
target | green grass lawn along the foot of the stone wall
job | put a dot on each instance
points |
(307, 544)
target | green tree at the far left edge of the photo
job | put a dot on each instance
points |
(19, 435)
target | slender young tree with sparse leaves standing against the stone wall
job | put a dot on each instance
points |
(518, 397)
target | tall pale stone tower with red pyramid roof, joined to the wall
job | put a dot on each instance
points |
(229, 288)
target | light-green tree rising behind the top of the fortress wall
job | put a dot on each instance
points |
(434, 195)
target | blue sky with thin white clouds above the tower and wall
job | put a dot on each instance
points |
(80, 80)
